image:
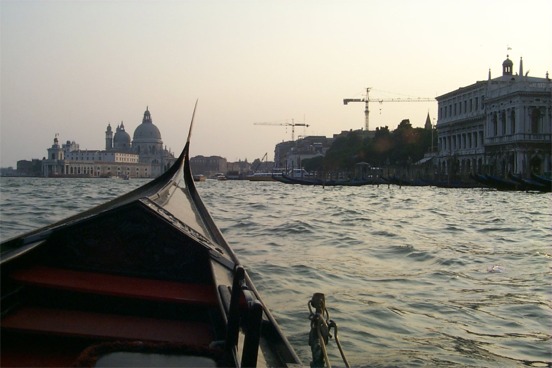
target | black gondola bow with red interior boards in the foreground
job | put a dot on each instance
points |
(144, 280)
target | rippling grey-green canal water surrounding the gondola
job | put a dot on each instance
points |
(413, 276)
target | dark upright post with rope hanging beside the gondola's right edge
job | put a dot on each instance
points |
(319, 335)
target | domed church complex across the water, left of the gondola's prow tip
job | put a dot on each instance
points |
(141, 157)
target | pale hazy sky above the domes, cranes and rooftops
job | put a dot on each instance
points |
(72, 67)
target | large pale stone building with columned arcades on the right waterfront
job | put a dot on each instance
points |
(500, 126)
